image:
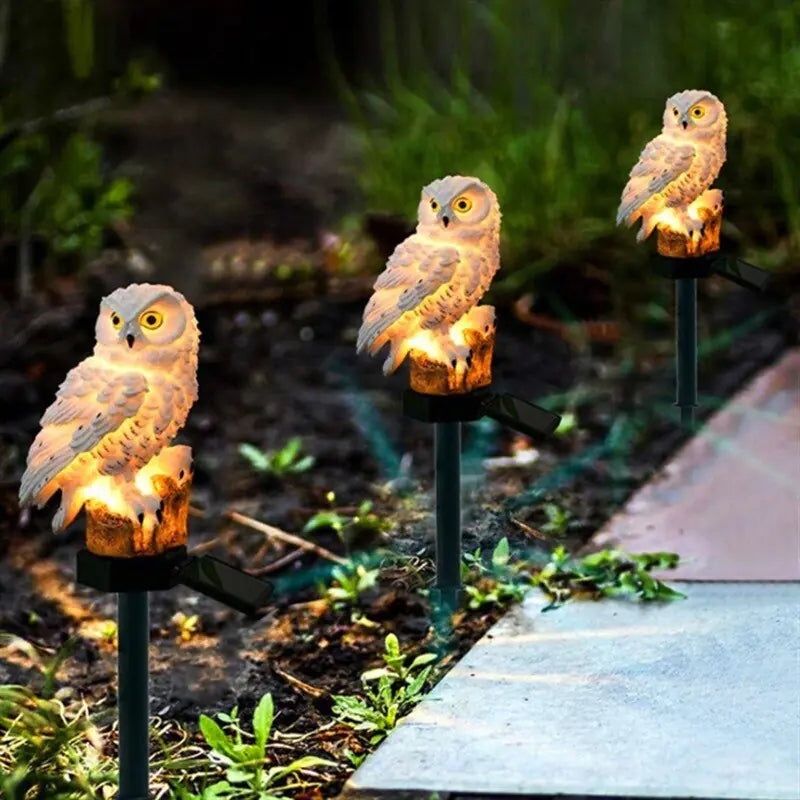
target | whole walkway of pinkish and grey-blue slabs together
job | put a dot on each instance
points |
(697, 698)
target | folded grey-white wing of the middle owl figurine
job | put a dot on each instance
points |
(414, 271)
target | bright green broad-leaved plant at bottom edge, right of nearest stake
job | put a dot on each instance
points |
(244, 756)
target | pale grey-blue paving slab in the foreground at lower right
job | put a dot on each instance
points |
(697, 698)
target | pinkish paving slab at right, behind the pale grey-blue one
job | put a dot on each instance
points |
(729, 501)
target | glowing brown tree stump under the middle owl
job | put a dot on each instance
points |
(429, 376)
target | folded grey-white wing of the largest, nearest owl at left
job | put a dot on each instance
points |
(91, 403)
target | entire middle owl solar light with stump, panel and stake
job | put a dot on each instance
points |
(425, 307)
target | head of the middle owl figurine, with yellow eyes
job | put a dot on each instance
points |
(458, 203)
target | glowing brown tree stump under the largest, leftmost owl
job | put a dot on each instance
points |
(109, 534)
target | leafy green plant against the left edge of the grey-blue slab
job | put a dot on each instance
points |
(388, 692)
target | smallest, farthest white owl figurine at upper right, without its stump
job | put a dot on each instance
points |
(677, 166)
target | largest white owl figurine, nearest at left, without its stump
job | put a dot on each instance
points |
(107, 432)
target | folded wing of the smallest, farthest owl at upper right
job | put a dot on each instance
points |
(661, 163)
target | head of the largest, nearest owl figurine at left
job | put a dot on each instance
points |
(147, 321)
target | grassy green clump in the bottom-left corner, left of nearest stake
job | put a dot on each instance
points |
(50, 744)
